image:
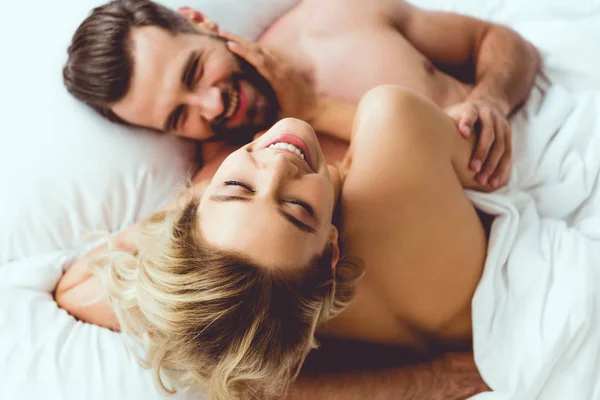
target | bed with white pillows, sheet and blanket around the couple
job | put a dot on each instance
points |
(65, 172)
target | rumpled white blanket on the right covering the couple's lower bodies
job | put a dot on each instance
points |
(537, 308)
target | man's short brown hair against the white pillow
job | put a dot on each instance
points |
(100, 64)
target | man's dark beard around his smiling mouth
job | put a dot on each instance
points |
(244, 134)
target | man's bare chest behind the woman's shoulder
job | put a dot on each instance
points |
(349, 57)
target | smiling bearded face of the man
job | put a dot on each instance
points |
(193, 86)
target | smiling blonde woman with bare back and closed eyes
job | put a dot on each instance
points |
(229, 287)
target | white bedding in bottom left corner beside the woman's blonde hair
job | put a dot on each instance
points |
(46, 354)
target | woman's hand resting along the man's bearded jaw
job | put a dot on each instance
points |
(294, 92)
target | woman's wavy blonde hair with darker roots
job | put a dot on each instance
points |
(214, 320)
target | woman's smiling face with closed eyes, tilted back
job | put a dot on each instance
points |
(273, 199)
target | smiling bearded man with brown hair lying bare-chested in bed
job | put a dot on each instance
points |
(141, 64)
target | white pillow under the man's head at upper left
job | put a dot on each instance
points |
(65, 171)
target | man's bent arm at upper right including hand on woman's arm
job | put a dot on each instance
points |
(502, 64)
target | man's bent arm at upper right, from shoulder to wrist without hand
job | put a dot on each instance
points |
(504, 63)
